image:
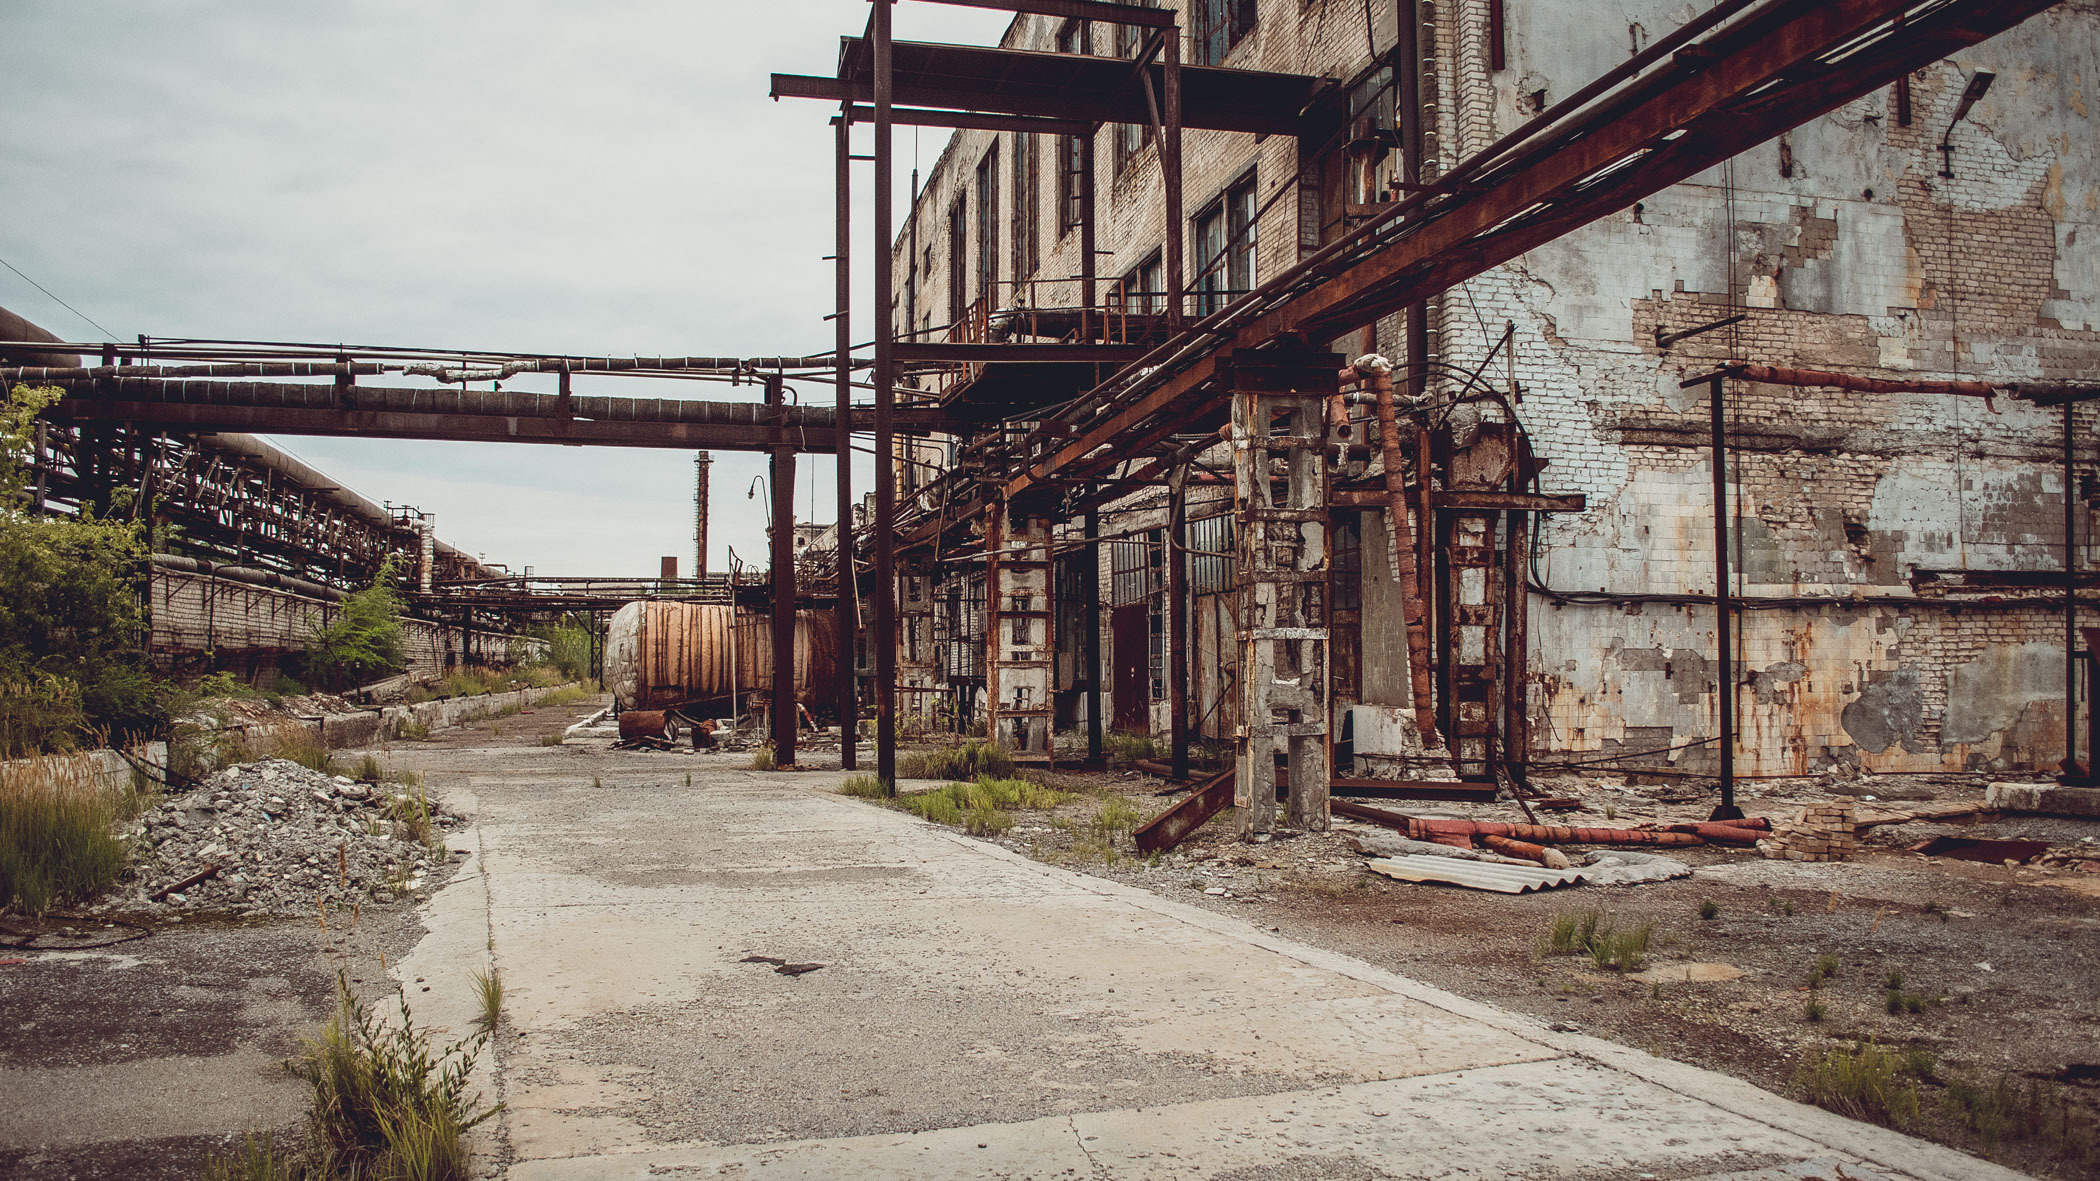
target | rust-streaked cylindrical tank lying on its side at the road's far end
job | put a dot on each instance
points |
(663, 657)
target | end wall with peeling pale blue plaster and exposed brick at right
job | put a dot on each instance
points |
(1847, 251)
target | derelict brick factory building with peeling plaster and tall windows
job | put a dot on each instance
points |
(1845, 308)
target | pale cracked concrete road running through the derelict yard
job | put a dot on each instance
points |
(986, 1016)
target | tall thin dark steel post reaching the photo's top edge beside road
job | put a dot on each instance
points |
(885, 402)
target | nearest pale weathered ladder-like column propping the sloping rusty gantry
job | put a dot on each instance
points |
(1280, 491)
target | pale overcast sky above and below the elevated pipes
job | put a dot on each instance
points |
(526, 175)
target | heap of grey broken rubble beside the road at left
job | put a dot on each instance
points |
(276, 837)
